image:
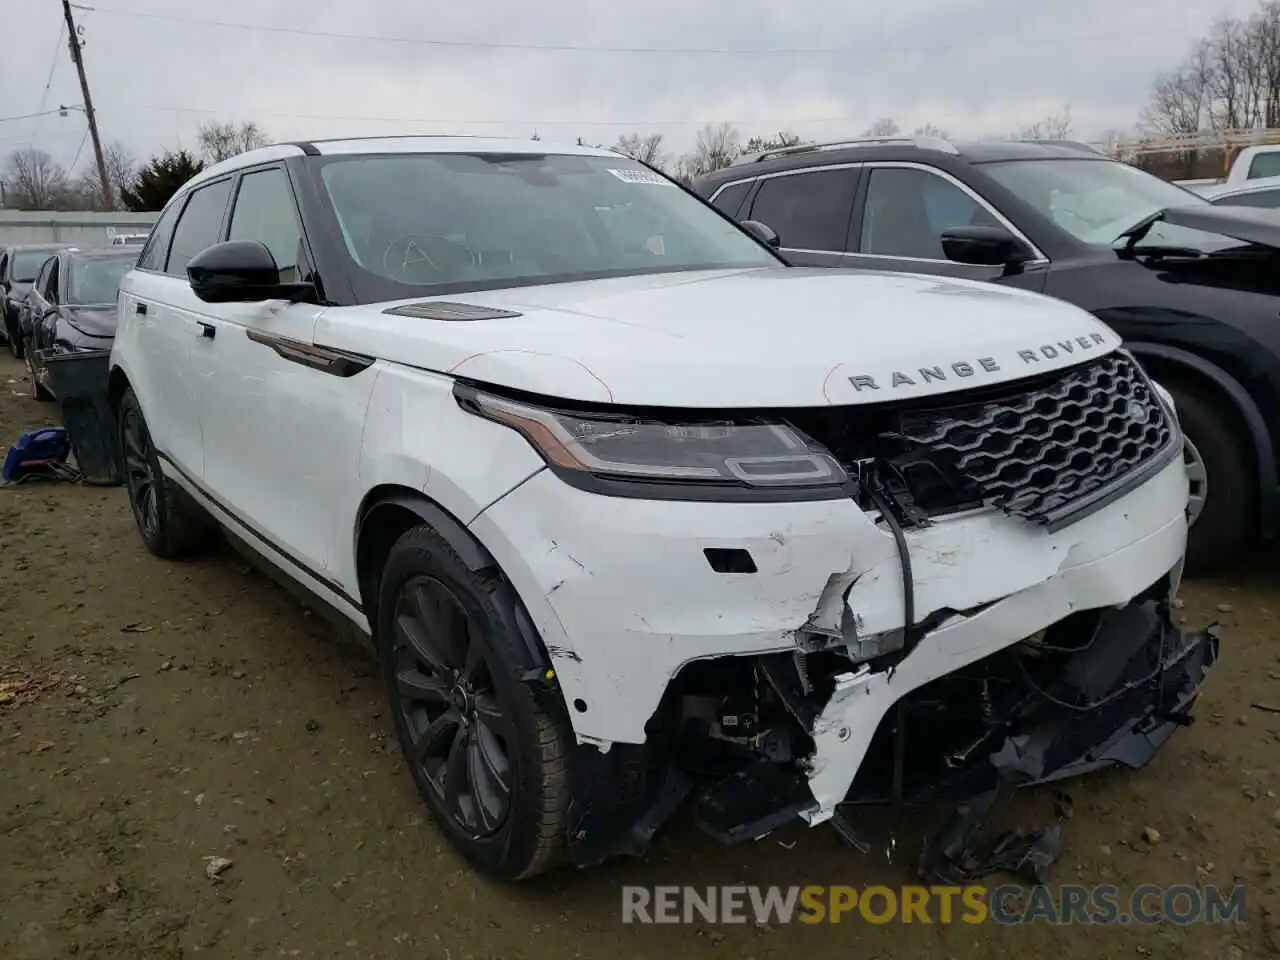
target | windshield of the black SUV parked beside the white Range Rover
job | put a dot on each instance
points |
(1099, 200)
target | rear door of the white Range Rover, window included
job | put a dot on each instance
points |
(172, 330)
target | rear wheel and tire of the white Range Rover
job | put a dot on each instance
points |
(171, 524)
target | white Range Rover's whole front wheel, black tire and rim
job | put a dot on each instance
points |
(510, 732)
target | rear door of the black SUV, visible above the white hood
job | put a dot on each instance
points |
(811, 211)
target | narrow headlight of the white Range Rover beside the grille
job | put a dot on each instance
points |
(757, 460)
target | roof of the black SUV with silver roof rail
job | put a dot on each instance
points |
(979, 152)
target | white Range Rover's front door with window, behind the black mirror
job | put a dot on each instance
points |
(282, 429)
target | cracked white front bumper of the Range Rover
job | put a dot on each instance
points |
(627, 595)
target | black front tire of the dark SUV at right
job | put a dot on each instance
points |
(1227, 520)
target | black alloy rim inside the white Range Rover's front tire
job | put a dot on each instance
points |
(460, 734)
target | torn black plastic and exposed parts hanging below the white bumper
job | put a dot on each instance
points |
(749, 737)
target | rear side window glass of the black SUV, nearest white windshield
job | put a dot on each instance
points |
(808, 211)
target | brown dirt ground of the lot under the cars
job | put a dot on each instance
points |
(154, 716)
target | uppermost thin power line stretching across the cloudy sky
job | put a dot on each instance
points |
(1058, 38)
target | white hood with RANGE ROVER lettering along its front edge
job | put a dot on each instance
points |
(772, 337)
